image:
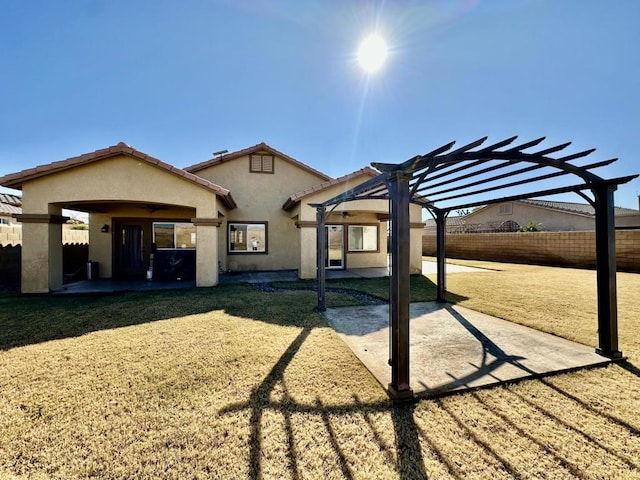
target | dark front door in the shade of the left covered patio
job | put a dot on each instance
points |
(132, 248)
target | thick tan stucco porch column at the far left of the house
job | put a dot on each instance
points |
(42, 270)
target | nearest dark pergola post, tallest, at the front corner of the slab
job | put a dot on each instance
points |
(398, 186)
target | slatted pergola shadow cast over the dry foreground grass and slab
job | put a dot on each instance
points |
(413, 443)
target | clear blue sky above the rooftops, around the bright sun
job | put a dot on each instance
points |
(180, 80)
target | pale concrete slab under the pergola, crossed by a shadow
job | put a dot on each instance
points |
(454, 348)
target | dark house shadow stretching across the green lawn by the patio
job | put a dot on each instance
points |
(32, 319)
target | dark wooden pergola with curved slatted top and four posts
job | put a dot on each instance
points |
(446, 180)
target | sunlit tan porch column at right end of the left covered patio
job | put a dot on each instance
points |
(206, 251)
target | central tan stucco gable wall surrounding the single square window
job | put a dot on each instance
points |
(259, 198)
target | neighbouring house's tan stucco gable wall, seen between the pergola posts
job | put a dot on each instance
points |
(522, 214)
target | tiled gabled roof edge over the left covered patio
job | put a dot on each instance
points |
(15, 180)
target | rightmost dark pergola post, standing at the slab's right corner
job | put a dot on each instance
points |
(606, 271)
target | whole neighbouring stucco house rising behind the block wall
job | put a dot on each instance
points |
(545, 214)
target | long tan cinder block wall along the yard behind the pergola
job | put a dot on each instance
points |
(570, 249)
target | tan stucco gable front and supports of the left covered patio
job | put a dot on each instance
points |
(123, 179)
